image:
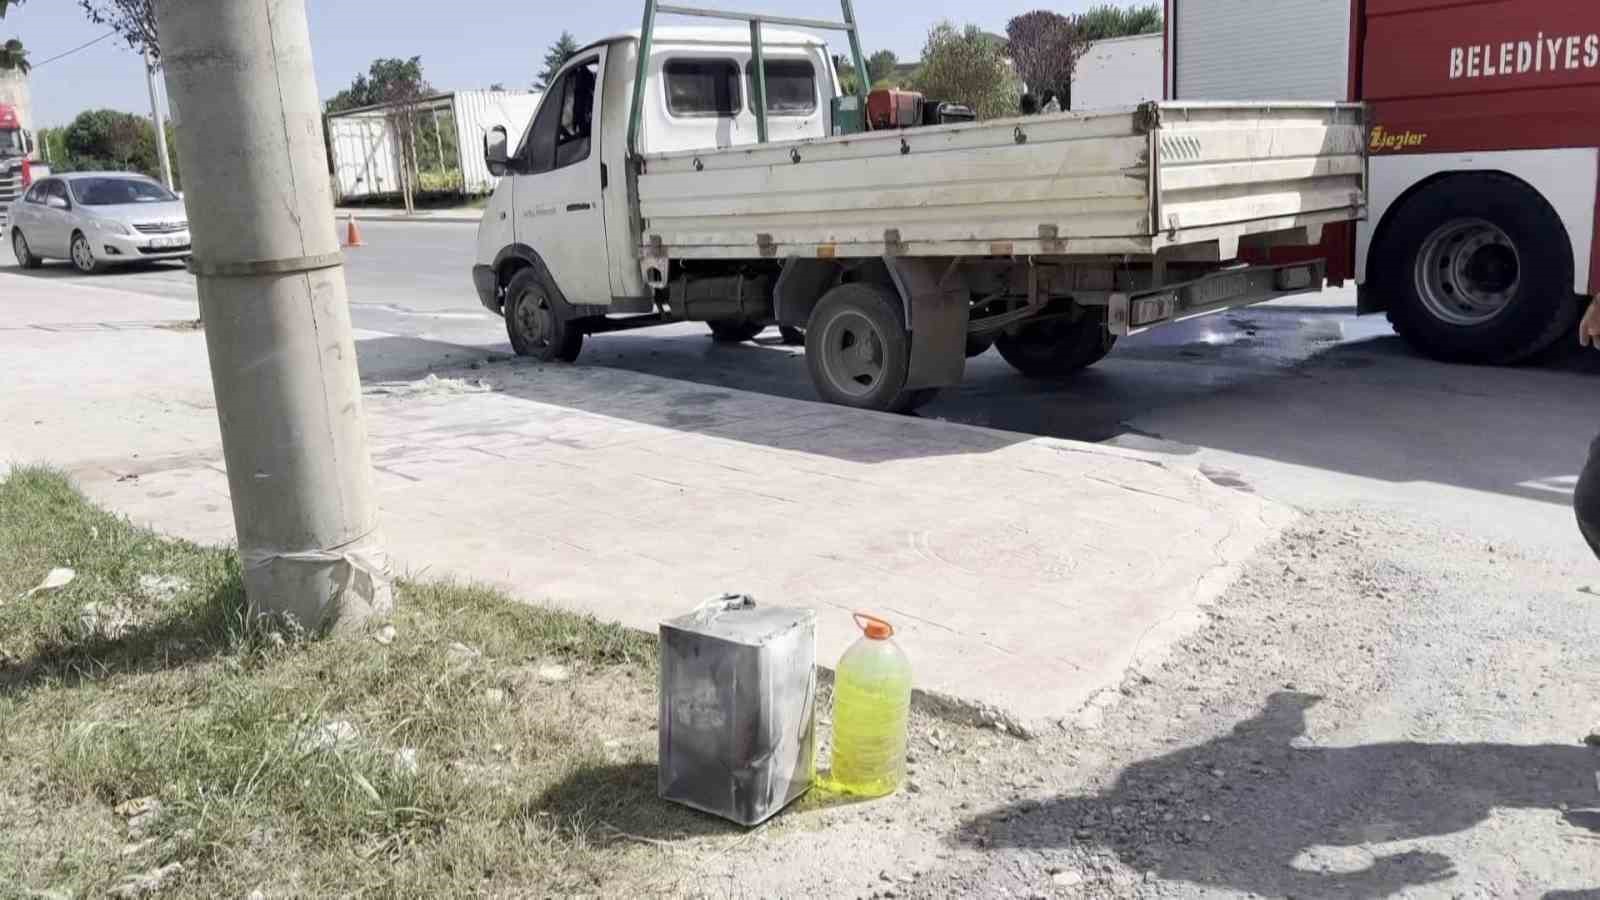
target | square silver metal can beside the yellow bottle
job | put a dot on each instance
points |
(738, 697)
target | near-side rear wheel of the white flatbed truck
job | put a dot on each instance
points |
(858, 352)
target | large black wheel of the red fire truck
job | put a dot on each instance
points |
(1479, 268)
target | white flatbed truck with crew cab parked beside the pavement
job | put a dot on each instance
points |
(713, 175)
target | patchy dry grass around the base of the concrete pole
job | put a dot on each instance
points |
(482, 747)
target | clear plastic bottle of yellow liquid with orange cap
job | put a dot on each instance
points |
(871, 707)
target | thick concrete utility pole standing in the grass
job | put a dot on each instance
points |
(274, 305)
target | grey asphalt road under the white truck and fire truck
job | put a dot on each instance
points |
(1302, 401)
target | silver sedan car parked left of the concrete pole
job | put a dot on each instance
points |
(98, 220)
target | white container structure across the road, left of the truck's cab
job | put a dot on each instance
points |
(449, 132)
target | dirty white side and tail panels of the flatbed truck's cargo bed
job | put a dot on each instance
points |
(1124, 183)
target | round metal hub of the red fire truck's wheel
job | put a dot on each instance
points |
(1468, 273)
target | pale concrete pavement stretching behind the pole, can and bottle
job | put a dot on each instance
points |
(1025, 574)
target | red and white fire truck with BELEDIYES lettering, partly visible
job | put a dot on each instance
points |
(1481, 239)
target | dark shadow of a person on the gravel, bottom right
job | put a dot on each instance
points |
(1255, 813)
